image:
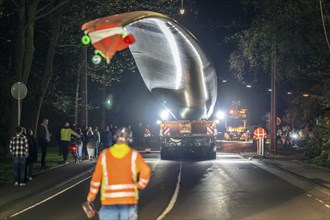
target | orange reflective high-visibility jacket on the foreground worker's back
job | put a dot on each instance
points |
(117, 178)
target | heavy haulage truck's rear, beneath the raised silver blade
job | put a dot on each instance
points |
(188, 139)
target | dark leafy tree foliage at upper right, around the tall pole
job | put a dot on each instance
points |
(302, 50)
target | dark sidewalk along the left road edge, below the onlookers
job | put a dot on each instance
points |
(14, 198)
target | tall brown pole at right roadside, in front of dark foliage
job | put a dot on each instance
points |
(273, 148)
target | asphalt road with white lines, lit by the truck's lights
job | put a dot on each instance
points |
(229, 187)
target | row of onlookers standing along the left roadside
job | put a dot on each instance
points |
(24, 147)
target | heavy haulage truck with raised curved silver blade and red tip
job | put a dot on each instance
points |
(174, 68)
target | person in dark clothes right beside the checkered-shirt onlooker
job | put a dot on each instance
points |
(33, 154)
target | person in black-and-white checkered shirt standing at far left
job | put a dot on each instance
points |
(19, 149)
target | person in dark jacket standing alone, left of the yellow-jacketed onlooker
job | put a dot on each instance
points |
(43, 140)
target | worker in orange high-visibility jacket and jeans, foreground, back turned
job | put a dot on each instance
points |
(116, 175)
